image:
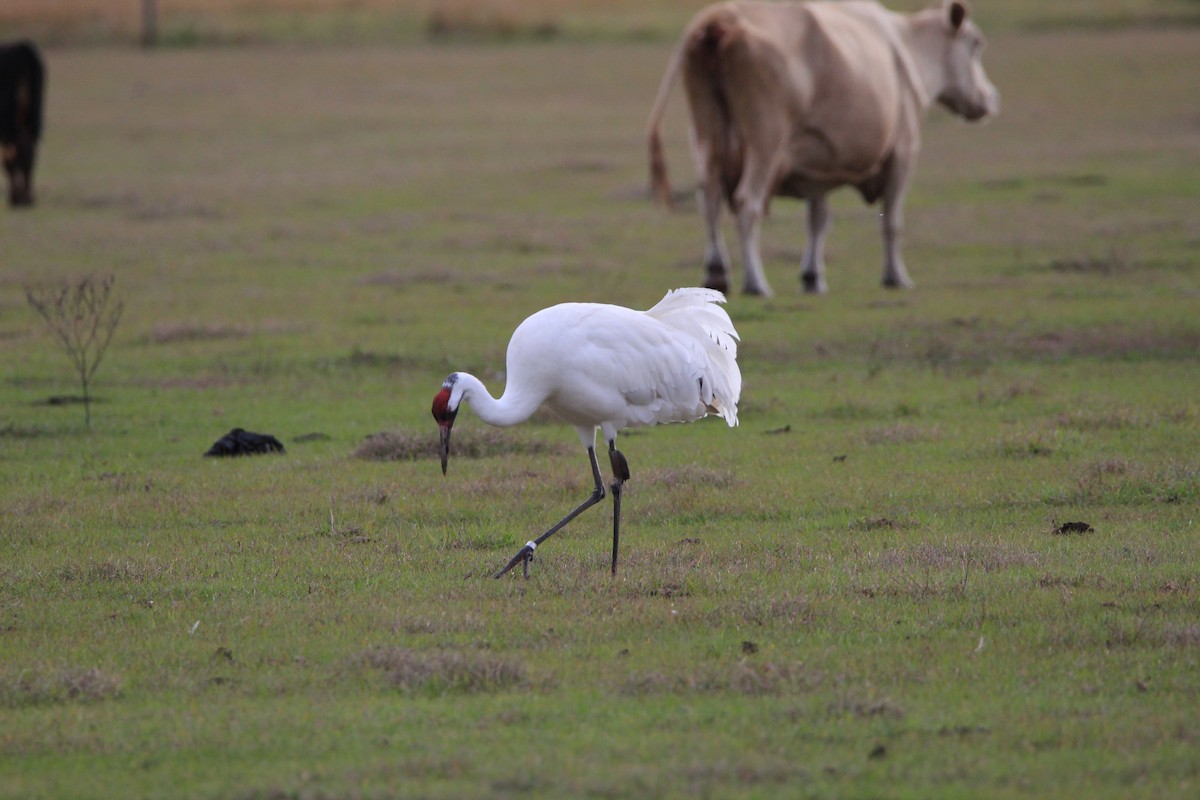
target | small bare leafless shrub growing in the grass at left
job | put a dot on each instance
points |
(83, 316)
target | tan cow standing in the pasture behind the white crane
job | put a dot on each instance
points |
(799, 99)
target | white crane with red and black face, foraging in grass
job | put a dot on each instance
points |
(608, 368)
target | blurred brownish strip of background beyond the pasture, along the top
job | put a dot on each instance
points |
(223, 22)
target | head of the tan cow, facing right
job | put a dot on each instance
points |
(952, 49)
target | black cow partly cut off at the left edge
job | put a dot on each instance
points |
(22, 82)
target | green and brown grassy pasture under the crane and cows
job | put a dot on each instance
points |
(857, 593)
